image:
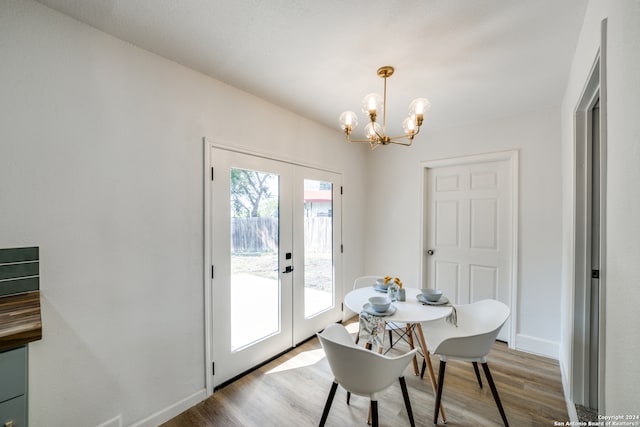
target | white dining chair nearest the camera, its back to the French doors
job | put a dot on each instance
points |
(362, 372)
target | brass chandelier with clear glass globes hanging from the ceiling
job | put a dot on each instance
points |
(374, 105)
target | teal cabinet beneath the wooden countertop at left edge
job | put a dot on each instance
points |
(13, 387)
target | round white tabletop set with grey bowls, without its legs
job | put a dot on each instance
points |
(409, 311)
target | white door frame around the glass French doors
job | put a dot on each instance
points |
(207, 171)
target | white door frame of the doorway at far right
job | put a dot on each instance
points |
(594, 90)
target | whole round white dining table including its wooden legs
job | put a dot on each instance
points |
(411, 312)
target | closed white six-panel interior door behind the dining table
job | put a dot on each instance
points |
(469, 232)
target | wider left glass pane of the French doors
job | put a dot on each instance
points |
(255, 286)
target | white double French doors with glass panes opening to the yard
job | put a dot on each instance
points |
(275, 256)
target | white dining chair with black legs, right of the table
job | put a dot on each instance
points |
(478, 326)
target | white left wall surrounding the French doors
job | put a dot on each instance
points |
(101, 159)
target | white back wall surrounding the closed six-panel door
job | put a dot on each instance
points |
(394, 211)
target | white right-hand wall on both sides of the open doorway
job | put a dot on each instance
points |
(622, 290)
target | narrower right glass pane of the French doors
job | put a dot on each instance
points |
(318, 247)
